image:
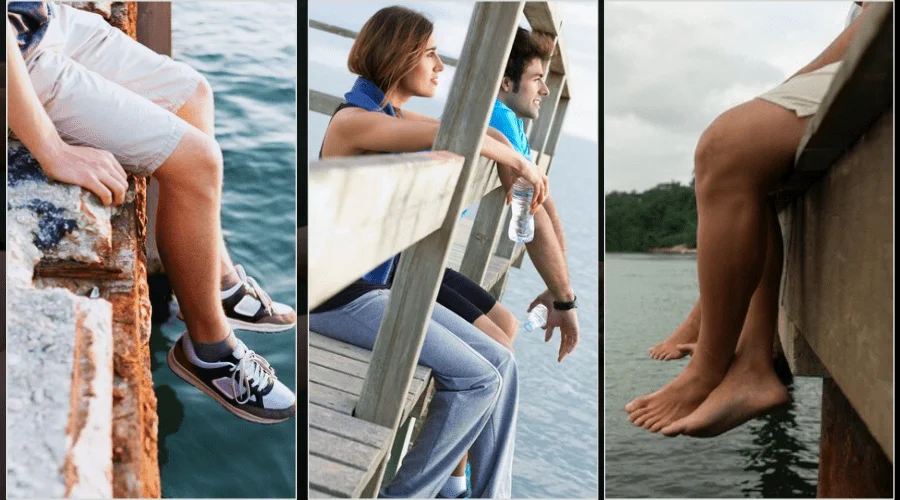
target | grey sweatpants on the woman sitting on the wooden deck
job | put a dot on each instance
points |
(474, 406)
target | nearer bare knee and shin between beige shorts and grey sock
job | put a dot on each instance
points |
(188, 232)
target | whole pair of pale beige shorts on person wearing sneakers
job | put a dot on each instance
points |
(103, 89)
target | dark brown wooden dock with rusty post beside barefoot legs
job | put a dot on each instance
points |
(835, 314)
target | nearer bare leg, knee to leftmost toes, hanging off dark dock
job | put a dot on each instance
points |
(739, 157)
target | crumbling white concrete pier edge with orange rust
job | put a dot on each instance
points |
(82, 413)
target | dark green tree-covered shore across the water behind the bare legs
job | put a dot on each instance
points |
(663, 216)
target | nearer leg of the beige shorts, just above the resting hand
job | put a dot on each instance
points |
(89, 110)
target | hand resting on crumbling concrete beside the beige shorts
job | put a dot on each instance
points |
(96, 170)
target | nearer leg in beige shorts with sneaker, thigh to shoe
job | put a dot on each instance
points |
(91, 111)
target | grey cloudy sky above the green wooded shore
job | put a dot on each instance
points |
(671, 67)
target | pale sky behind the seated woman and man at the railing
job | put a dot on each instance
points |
(328, 55)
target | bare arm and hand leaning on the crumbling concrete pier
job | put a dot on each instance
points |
(95, 170)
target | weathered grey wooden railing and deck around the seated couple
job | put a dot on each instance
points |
(362, 404)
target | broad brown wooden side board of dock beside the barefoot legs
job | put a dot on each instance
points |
(838, 284)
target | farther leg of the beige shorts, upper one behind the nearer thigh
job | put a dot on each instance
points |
(88, 39)
